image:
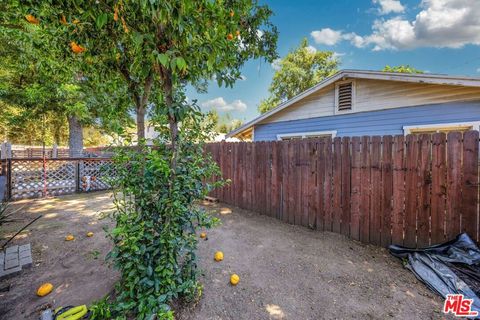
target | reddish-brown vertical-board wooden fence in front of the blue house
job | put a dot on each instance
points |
(414, 190)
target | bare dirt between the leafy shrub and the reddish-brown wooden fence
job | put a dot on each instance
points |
(291, 272)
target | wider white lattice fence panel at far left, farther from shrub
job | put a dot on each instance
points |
(30, 180)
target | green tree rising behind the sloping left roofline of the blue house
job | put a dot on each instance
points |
(301, 69)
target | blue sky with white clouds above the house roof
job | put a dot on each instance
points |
(437, 36)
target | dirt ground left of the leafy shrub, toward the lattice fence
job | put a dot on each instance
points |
(77, 269)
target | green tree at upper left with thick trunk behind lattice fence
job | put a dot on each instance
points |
(44, 80)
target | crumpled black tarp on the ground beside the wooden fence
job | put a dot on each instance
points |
(452, 267)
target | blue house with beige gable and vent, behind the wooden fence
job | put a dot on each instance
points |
(358, 102)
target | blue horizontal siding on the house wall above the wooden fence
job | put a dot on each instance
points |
(382, 122)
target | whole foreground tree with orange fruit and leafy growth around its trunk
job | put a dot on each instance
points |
(154, 49)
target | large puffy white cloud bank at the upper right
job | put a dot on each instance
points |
(440, 24)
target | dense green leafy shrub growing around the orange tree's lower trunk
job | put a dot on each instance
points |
(156, 221)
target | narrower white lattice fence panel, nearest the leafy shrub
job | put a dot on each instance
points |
(96, 174)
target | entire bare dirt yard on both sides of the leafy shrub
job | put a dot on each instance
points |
(286, 272)
